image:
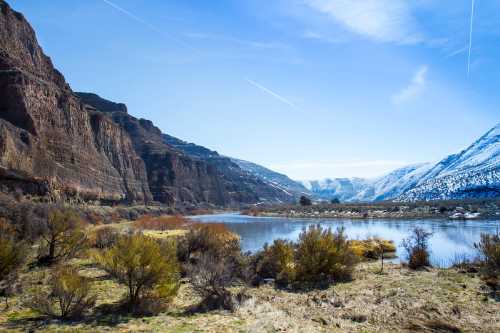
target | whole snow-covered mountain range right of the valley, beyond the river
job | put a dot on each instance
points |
(472, 173)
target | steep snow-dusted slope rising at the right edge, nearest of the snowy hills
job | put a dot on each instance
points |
(472, 173)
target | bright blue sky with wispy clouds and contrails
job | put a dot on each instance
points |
(312, 88)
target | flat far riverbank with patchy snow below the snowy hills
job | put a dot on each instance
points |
(484, 209)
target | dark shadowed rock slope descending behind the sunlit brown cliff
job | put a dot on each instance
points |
(178, 175)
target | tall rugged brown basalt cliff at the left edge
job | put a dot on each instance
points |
(50, 144)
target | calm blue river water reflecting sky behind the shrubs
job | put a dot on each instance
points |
(449, 237)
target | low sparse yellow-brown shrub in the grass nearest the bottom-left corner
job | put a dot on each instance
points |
(68, 297)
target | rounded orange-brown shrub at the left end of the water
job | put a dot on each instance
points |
(203, 238)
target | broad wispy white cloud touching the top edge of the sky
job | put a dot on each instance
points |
(380, 20)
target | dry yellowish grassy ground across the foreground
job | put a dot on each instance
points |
(399, 300)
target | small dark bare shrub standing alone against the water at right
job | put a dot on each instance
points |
(416, 248)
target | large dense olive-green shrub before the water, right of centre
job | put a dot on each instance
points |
(323, 256)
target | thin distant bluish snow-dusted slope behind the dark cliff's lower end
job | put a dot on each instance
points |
(273, 178)
